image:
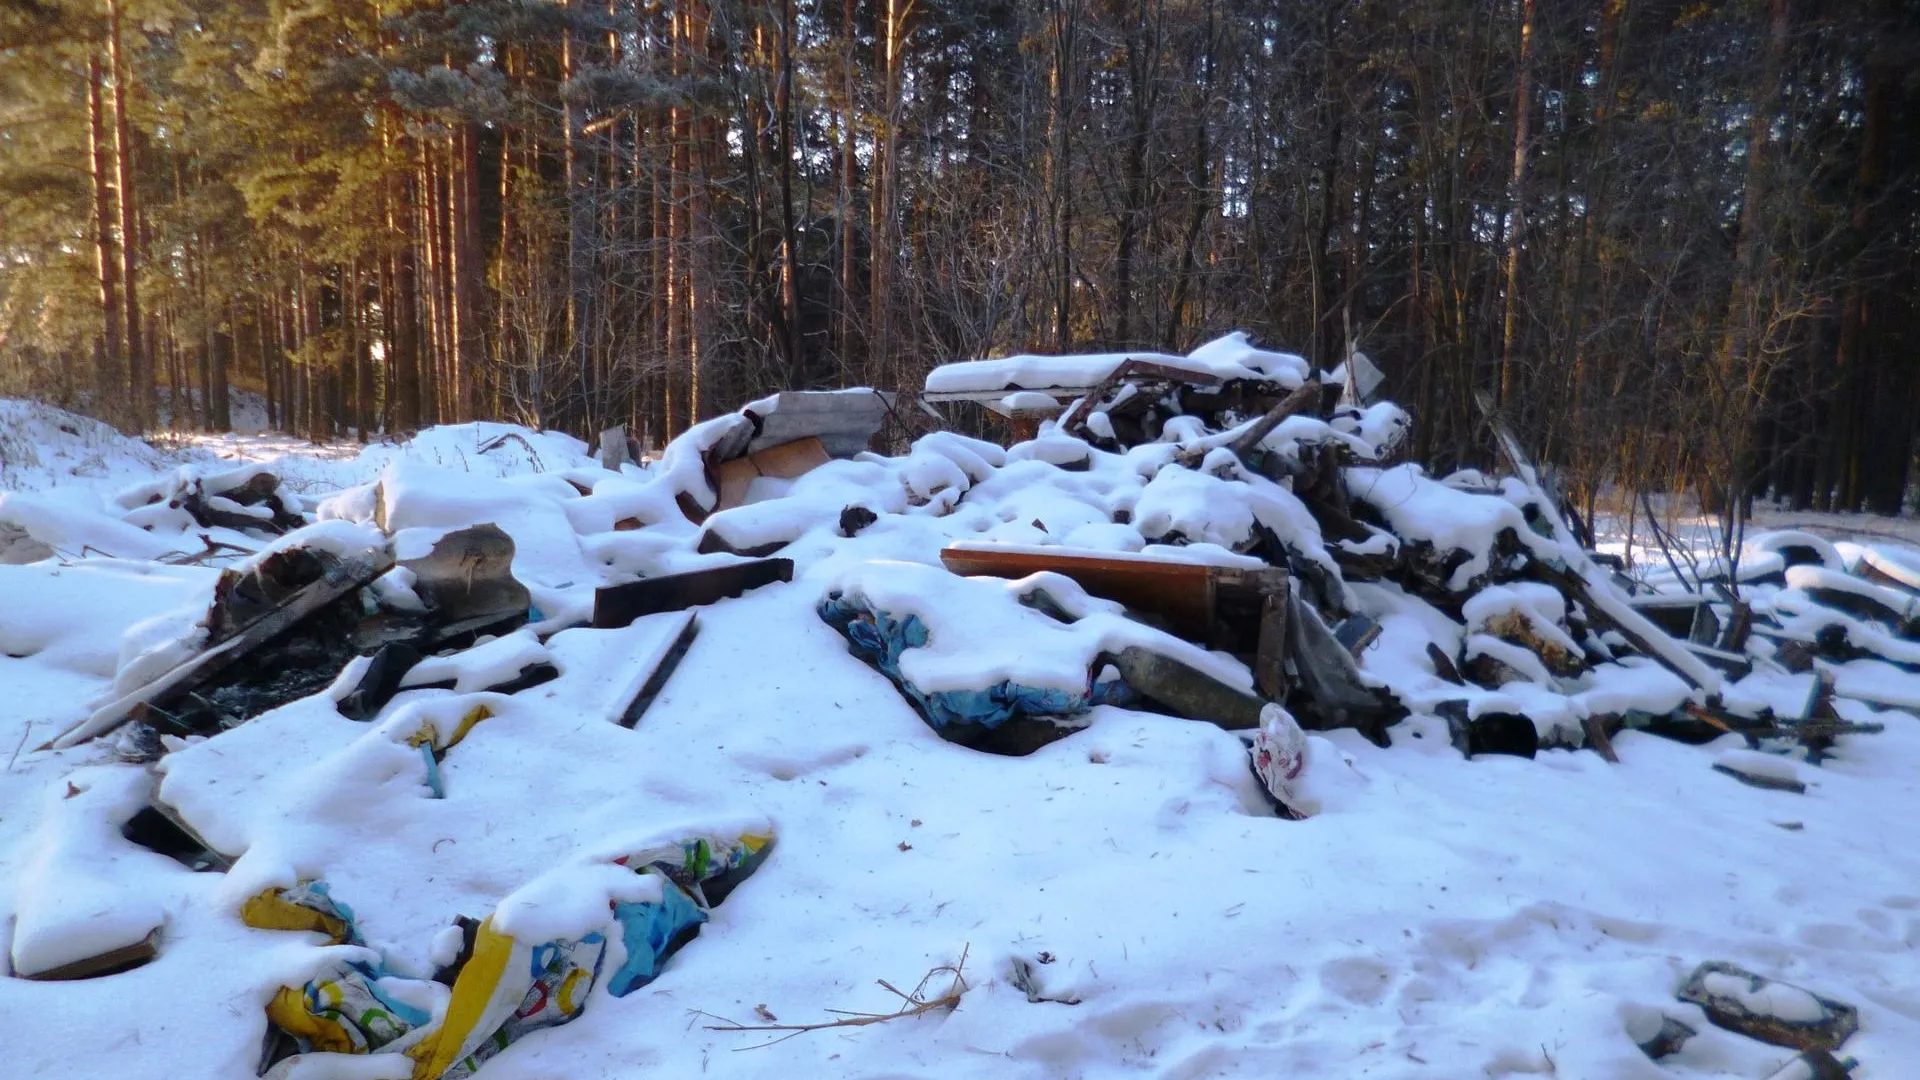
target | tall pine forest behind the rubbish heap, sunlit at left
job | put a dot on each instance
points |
(1675, 241)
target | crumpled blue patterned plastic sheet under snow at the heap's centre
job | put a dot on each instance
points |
(880, 639)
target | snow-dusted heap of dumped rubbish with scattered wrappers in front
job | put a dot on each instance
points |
(1226, 537)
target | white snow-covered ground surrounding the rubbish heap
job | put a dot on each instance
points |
(1439, 918)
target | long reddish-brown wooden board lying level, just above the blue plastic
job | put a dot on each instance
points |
(1184, 597)
